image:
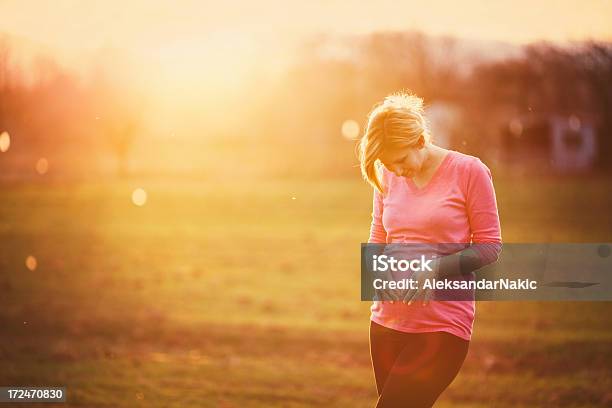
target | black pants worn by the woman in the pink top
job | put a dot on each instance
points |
(412, 369)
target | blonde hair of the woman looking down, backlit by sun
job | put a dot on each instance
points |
(396, 122)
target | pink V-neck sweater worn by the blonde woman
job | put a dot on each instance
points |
(457, 206)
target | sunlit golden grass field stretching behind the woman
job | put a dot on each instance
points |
(220, 296)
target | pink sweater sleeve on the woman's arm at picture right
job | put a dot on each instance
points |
(482, 213)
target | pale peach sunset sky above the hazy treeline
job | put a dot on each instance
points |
(144, 23)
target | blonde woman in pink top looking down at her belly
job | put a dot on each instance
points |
(424, 194)
